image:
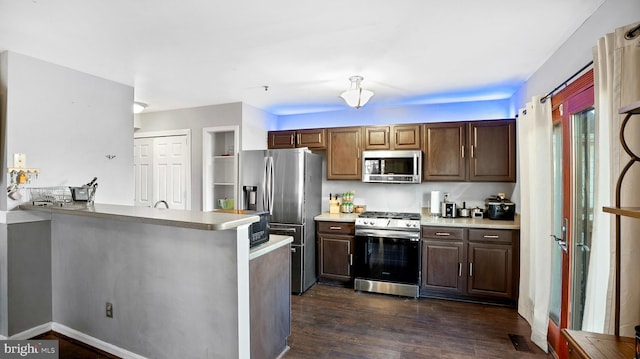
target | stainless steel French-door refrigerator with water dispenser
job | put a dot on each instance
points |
(288, 184)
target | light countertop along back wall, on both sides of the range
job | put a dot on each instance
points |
(428, 220)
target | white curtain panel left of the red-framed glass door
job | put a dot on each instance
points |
(535, 159)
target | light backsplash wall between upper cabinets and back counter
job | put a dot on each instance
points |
(412, 197)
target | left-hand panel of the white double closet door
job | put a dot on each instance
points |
(143, 171)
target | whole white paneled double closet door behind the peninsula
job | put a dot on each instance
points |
(162, 170)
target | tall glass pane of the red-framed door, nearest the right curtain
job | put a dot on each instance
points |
(583, 187)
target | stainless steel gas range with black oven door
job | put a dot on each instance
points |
(388, 253)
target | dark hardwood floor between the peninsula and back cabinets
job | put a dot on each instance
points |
(333, 322)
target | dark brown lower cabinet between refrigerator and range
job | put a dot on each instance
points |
(335, 252)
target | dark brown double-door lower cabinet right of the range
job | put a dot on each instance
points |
(470, 263)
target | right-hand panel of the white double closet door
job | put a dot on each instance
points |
(169, 170)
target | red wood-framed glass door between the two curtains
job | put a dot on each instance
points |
(573, 168)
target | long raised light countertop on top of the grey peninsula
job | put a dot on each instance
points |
(211, 221)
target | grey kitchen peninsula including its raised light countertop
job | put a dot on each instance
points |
(181, 283)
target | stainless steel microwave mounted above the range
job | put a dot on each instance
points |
(392, 166)
